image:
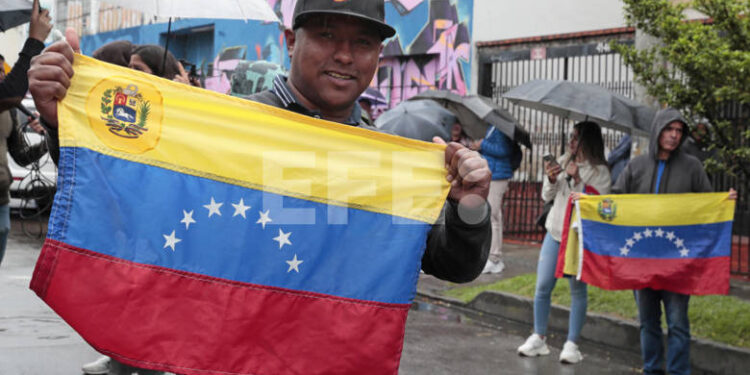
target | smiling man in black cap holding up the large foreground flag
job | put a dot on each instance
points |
(334, 49)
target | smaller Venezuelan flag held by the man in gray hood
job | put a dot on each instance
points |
(675, 242)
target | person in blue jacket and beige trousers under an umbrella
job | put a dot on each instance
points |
(497, 149)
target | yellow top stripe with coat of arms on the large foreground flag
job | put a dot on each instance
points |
(142, 118)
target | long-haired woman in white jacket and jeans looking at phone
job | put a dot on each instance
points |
(580, 169)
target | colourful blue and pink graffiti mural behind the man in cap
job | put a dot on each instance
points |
(431, 50)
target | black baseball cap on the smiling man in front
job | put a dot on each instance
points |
(372, 11)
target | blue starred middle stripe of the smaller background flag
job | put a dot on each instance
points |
(680, 241)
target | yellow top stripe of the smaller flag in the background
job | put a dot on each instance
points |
(657, 209)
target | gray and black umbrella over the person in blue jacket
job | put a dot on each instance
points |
(476, 113)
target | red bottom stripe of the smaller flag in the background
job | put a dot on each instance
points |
(696, 276)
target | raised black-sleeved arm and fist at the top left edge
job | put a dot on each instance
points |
(13, 88)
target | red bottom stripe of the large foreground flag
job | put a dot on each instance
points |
(168, 320)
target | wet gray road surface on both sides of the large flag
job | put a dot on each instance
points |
(35, 341)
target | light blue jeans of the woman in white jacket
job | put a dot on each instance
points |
(545, 283)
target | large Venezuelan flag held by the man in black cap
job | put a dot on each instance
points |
(202, 234)
